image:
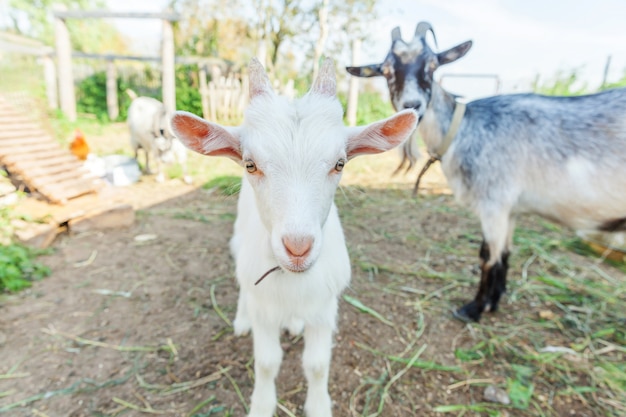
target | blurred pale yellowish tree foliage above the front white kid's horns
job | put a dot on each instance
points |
(232, 30)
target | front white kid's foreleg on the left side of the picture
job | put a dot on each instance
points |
(267, 358)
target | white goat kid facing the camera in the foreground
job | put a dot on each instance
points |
(293, 153)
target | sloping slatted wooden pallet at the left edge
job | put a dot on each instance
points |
(34, 157)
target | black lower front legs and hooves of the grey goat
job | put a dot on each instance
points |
(492, 286)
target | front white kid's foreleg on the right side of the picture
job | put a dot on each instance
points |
(316, 364)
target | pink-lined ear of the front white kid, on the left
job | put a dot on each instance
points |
(205, 138)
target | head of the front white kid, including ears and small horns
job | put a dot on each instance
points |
(293, 154)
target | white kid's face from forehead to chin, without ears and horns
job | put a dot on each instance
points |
(294, 179)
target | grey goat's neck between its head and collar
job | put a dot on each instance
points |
(436, 120)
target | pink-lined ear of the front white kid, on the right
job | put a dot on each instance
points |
(381, 136)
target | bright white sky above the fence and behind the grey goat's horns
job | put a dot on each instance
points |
(514, 39)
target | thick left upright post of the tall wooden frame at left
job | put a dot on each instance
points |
(64, 65)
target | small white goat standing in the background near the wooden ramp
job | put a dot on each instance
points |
(150, 130)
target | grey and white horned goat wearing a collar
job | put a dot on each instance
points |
(563, 158)
